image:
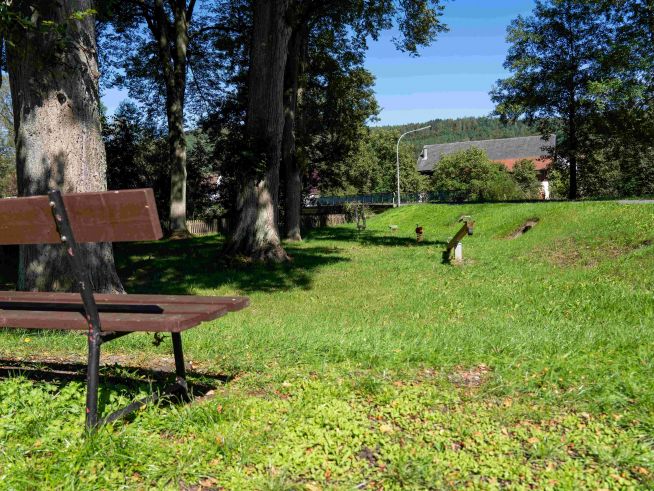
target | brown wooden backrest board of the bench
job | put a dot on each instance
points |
(110, 216)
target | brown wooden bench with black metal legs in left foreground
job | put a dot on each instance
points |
(112, 216)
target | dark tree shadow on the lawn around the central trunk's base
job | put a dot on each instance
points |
(179, 267)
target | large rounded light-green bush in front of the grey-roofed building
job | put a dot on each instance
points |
(470, 175)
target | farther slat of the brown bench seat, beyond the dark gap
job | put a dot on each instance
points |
(232, 304)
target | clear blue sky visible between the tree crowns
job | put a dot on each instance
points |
(451, 78)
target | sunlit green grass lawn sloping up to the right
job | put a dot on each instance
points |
(367, 363)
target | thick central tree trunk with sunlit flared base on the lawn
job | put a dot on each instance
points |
(256, 233)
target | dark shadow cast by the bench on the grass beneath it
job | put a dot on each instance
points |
(127, 381)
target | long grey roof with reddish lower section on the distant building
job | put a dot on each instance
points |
(507, 151)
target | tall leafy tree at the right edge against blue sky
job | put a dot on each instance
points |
(583, 69)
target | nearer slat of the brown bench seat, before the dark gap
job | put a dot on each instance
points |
(119, 322)
